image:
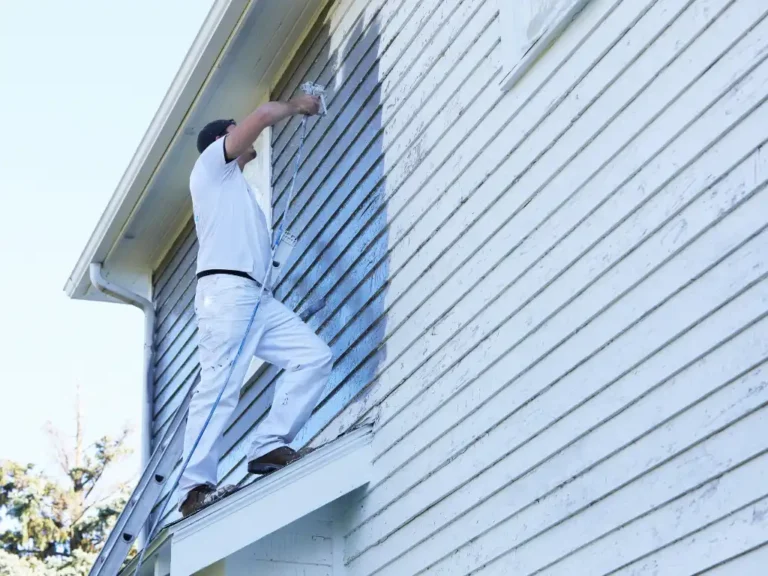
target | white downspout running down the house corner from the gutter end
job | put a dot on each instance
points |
(106, 287)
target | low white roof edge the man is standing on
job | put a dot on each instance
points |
(217, 532)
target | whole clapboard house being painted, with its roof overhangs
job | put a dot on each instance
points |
(540, 230)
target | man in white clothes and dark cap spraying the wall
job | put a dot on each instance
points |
(233, 256)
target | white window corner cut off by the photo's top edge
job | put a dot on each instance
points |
(528, 28)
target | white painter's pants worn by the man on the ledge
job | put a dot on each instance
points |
(223, 305)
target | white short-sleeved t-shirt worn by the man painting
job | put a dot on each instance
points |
(232, 230)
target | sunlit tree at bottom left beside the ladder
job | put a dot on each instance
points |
(57, 527)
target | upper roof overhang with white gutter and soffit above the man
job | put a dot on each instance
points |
(241, 49)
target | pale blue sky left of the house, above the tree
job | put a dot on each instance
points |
(79, 84)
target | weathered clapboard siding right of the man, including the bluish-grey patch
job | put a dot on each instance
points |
(559, 291)
